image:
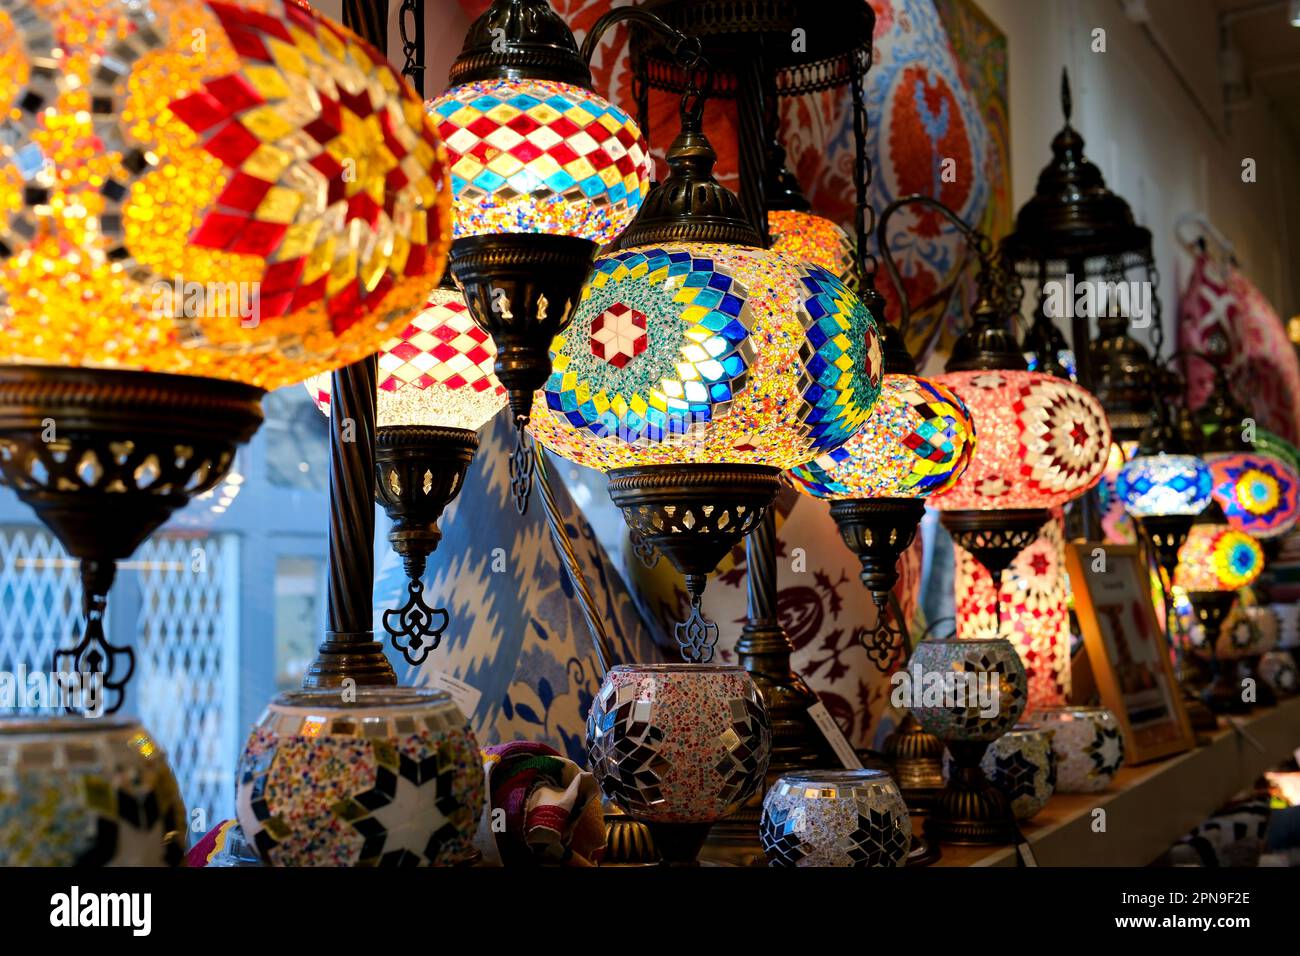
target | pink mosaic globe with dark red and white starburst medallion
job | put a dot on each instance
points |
(1043, 442)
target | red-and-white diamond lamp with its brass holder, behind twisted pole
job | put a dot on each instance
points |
(436, 391)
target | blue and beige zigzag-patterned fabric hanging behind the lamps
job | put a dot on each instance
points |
(517, 635)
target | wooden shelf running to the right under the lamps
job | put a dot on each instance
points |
(1150, 807)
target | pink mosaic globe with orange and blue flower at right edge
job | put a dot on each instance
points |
(1260, 495)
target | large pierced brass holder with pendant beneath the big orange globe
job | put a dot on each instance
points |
(105, 458)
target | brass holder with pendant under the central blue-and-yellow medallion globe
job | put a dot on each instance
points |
(695, 514)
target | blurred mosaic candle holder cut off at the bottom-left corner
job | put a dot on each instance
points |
(88, 793)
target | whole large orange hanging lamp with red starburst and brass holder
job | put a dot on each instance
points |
(183, 227)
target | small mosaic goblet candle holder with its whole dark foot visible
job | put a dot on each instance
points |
(969, 810)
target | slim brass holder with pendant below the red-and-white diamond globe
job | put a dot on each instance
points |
(419, 471)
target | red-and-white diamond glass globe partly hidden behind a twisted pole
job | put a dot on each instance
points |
(437, 373)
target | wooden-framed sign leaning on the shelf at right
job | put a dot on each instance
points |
(1128, 650)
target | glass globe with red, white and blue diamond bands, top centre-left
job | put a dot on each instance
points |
(541, 157)
